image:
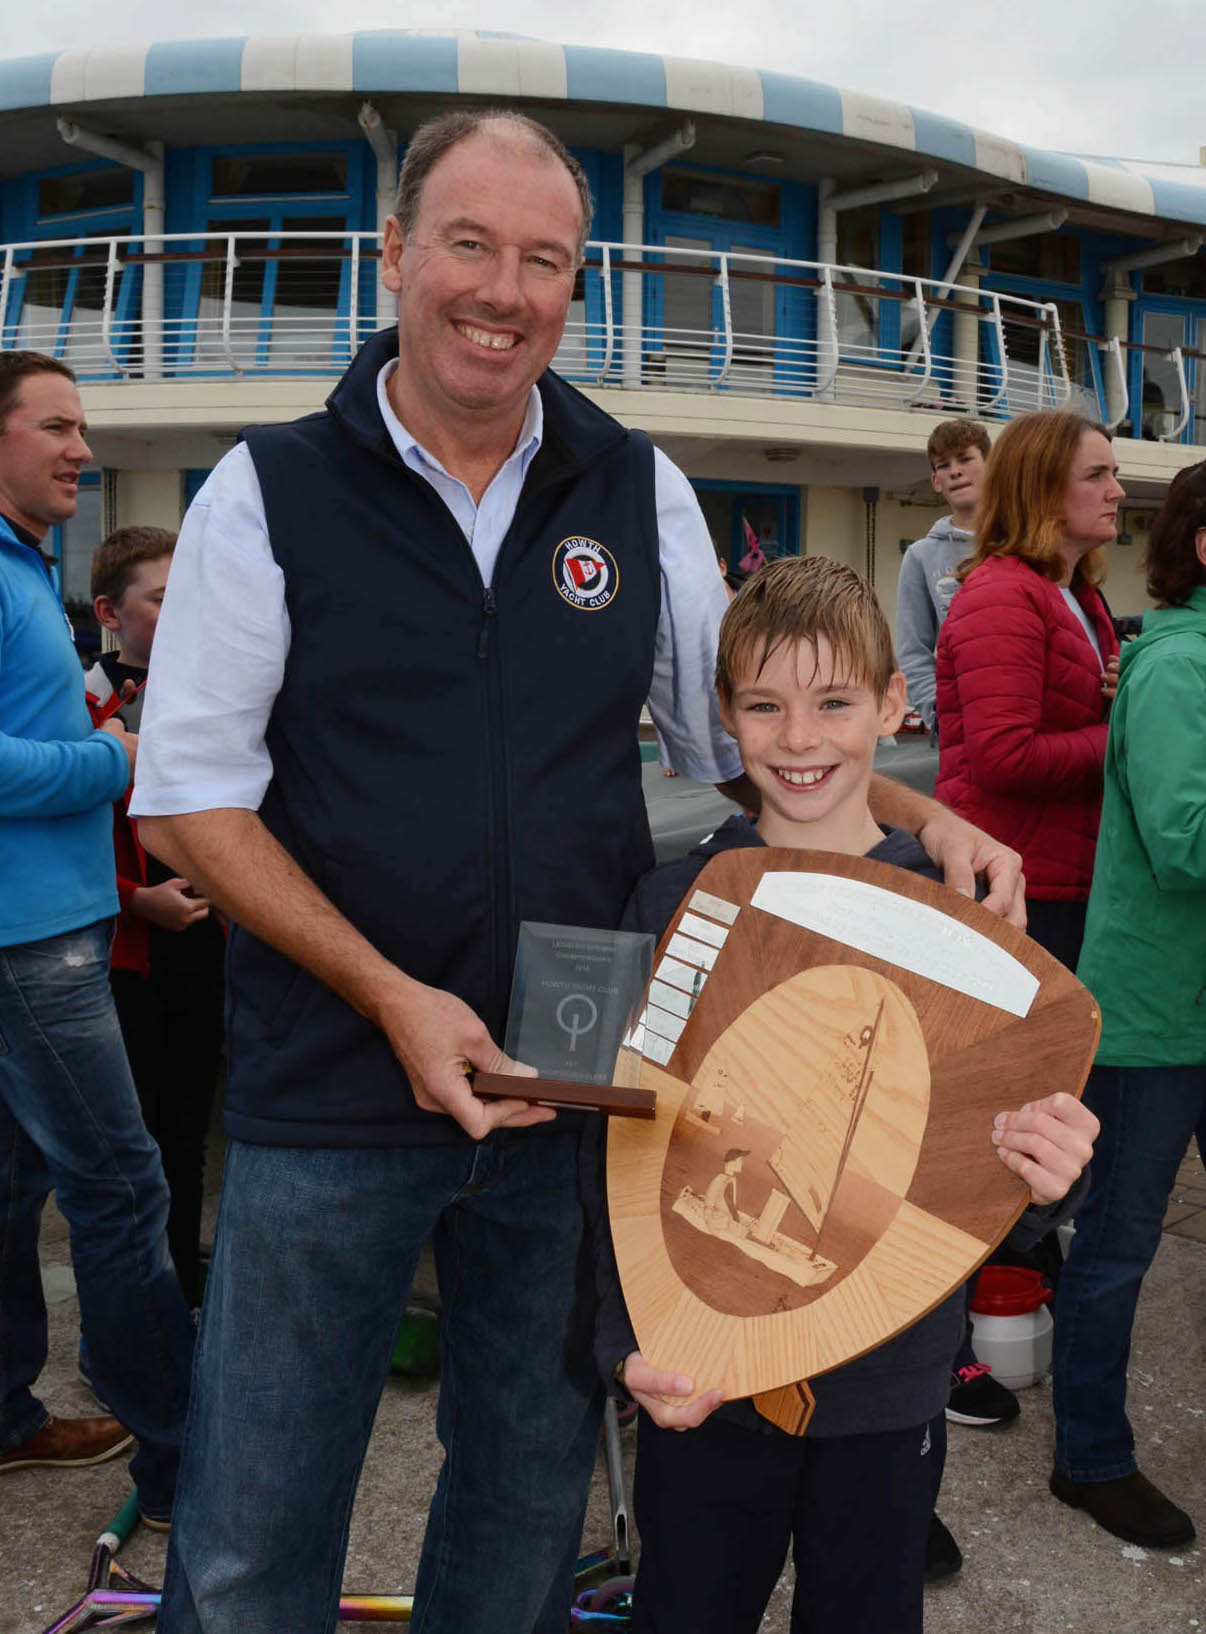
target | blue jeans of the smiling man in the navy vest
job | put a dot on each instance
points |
(313, 1264)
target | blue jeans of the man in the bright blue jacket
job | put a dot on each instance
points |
(69, 1120)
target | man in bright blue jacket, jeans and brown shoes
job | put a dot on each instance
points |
(69, 1117)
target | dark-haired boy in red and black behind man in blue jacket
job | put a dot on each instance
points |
(167, 952)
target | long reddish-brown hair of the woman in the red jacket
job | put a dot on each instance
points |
(1022, 498)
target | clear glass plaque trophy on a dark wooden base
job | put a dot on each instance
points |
(576, 998)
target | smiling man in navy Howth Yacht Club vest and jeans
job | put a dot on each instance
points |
(393, 713)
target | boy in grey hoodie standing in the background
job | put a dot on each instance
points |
(927, 583)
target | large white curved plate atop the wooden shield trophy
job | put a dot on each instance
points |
(903, 932)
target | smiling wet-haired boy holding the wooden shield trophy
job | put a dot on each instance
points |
(808, 685)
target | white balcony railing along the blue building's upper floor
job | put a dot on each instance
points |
(643, 318)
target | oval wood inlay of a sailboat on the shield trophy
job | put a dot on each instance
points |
(790, 1156)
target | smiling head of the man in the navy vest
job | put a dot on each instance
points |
(485, 280)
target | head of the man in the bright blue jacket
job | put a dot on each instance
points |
(43, 453)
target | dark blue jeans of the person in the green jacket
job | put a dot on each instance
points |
(1148, 1117)
